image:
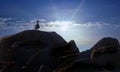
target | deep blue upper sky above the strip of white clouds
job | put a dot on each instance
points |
(80, 10)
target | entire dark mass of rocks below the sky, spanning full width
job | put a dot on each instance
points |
(39, 51)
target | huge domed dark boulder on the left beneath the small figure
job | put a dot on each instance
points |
(25, 46)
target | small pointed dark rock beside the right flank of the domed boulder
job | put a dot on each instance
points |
(65, 50)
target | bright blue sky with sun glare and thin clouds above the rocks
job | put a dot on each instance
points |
(85, 21)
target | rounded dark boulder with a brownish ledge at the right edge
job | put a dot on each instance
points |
(106, 53)
